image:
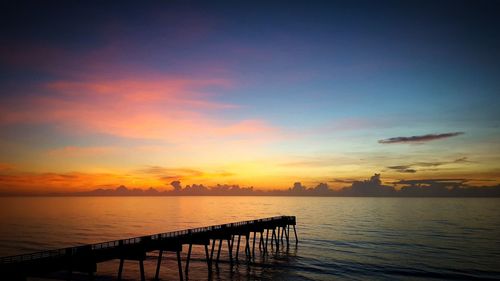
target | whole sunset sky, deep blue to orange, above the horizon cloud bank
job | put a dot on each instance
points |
(255, 93)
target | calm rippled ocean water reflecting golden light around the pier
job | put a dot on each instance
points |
(340, 238)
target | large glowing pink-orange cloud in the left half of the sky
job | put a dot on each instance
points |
(161, 107)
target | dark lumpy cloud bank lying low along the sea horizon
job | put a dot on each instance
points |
(369, 188)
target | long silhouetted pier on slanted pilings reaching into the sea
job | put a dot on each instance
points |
(267, 232)
